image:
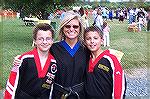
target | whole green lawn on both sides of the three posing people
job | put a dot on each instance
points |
(16, 38)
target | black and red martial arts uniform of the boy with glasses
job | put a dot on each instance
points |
(29, 80)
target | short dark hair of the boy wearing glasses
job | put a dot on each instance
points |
(44, 27)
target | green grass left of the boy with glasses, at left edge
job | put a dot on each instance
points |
(17, 39)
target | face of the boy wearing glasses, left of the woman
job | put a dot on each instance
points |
(43, 40)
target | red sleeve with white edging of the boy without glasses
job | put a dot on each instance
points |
(119, 84)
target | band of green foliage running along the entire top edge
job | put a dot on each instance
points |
(34, 7)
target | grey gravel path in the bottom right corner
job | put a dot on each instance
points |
(138, 83)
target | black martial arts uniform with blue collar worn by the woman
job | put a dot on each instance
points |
(71, 65)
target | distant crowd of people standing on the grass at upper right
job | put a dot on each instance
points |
(133, 15)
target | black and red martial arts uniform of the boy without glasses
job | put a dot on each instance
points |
(105, 78)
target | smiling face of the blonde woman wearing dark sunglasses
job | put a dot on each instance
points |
(72, 29)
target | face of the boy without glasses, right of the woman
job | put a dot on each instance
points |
(93, 41)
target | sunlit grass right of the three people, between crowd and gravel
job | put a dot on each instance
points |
(134, 45)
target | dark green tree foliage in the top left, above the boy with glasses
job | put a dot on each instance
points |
(39, 8)
